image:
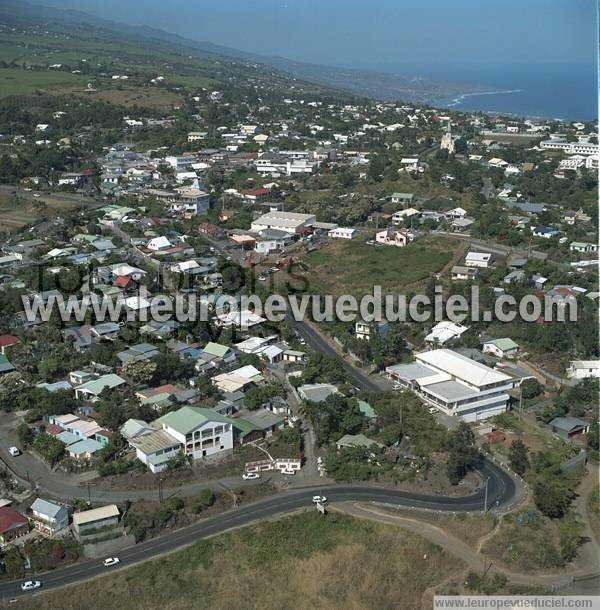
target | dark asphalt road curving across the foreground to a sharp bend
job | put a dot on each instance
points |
(501, 490)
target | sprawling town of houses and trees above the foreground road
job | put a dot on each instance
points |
(114, 431)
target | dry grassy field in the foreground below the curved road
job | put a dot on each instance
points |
(305, 561)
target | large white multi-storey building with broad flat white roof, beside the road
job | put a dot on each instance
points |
(455, 384)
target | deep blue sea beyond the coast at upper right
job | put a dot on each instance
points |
(564, 91)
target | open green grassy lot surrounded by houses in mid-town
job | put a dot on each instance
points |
(354, 267)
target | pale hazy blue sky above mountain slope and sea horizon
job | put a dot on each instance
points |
(373, 33)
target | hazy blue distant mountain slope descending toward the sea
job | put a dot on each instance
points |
(366, 83)
